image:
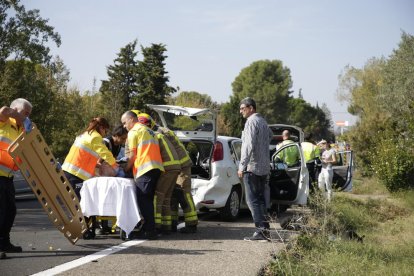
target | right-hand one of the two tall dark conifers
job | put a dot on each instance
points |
(152, 78)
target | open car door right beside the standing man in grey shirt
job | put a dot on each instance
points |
(288, 181)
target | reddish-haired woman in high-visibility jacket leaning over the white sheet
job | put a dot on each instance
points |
(87, 153)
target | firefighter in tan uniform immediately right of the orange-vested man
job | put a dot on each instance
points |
(167, 180)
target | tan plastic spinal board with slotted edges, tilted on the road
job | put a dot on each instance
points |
(49, 184)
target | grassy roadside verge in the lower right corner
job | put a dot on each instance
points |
(352, 235)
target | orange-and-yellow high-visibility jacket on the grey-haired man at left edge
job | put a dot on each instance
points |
(9, 131)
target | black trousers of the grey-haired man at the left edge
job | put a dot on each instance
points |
(7, 209)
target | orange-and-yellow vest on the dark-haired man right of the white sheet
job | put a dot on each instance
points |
(145, 150)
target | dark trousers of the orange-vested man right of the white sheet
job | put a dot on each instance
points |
(146, 184)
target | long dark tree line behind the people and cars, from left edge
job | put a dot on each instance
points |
(28, 70)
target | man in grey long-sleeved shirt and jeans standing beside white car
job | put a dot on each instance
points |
(254, 166)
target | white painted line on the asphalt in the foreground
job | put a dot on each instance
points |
(81, 261)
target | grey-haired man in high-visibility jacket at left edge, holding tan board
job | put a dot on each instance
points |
(13, 120)
